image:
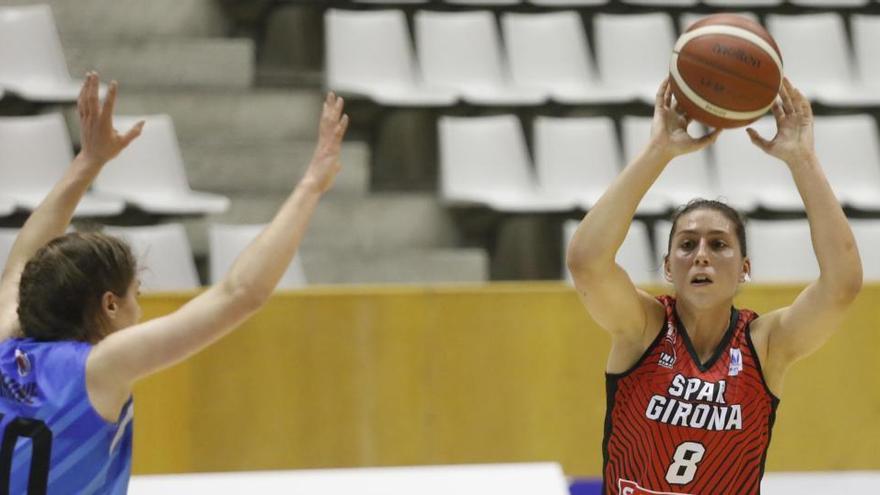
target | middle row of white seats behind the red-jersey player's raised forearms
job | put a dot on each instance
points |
(486, 161)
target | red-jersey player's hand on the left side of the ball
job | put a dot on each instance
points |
(669, 128)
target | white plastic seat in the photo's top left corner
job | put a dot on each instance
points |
(32, 63)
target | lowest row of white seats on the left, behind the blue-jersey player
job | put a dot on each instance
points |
(165, 257)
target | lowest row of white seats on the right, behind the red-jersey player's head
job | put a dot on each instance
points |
(781, 251)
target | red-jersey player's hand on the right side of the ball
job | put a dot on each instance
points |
(794, 127)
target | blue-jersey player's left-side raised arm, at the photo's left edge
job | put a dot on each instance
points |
(100, 143)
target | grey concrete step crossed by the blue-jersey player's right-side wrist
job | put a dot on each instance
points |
(260, 168)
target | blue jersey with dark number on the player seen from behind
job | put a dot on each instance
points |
(53, 439)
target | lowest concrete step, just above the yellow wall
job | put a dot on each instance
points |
(404, 266)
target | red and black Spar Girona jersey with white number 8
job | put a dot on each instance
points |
(676, 425)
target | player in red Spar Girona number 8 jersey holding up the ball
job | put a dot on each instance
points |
(692, 383)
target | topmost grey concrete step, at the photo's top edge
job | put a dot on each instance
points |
(134, 19)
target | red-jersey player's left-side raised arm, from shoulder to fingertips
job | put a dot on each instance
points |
(604, 287)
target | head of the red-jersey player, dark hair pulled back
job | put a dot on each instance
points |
(705, 261)
